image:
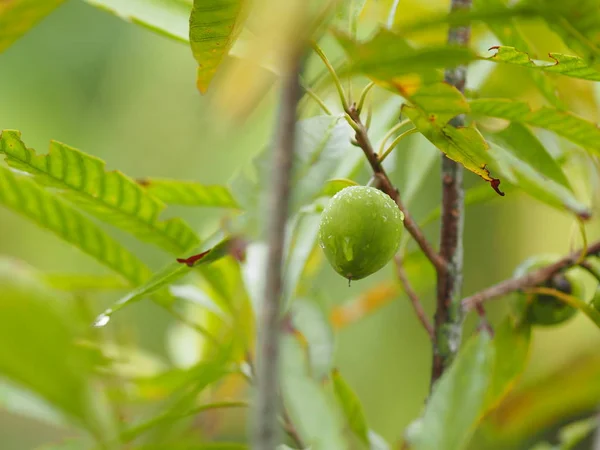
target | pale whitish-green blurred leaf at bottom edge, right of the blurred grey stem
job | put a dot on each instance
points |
(306, 401)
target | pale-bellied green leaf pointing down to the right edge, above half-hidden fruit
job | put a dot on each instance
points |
(528, 179)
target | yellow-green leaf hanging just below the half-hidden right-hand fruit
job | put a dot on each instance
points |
(511, 356)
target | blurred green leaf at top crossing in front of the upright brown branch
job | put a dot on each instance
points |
(387, 56)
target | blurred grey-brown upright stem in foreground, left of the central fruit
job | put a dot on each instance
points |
(266, 425)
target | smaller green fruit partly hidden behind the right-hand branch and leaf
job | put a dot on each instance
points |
(542, 309)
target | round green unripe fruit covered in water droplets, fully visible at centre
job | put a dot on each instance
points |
(360, 231)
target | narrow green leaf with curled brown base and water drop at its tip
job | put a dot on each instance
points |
(166, 276)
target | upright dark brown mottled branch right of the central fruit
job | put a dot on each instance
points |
(448, 315)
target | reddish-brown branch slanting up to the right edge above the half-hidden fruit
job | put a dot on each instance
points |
(528, 280)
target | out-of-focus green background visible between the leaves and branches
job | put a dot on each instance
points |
(126, 95)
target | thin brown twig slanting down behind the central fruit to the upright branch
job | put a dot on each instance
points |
(384, 183)
